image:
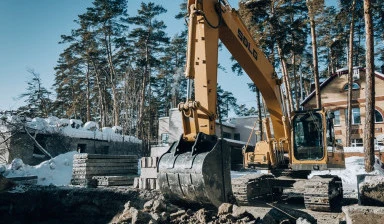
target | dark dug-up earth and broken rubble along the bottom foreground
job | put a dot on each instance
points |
(50, 204)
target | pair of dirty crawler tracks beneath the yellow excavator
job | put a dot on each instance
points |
(322, 193)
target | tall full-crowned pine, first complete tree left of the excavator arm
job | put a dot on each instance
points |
(150, 39)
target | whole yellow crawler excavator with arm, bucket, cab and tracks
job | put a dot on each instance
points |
(196, 168)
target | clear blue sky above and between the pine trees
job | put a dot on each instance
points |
(31, 31)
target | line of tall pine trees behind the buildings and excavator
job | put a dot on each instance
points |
(121, 69)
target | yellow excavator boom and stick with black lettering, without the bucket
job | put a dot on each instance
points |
(209, 21)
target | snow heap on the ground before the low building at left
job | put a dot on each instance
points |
(56, 171)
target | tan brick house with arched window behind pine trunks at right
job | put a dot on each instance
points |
(334, 93)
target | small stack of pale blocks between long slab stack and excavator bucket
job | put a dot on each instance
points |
(148, 176)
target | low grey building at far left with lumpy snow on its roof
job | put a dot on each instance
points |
(17, 143)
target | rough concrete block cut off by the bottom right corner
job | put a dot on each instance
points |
(357, 214)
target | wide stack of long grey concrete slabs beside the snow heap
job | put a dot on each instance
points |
(104, 170)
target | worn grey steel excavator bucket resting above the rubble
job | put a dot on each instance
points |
(196, 172)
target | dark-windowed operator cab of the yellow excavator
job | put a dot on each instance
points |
(308, 141)
